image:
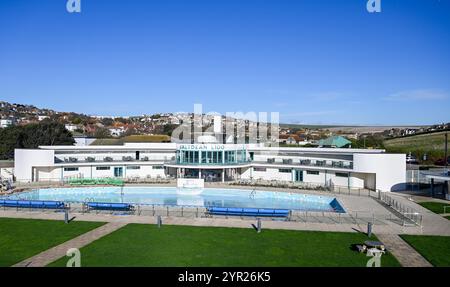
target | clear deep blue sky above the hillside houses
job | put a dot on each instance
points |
(314, 61)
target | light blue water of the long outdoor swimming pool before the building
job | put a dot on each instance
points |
(206, 197)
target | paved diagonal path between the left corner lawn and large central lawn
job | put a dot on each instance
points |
(53, 254)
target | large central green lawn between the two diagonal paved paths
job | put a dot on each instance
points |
(146, 245)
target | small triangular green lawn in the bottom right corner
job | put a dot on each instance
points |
(436, 249)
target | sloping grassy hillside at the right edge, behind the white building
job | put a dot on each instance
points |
(431, 144)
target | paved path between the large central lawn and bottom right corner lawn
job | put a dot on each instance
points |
(405, 254)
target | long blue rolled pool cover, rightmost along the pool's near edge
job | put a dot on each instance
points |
(263, 212)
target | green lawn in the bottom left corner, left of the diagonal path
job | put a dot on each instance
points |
(23, 238)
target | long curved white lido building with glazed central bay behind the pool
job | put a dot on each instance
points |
(346, 167)
